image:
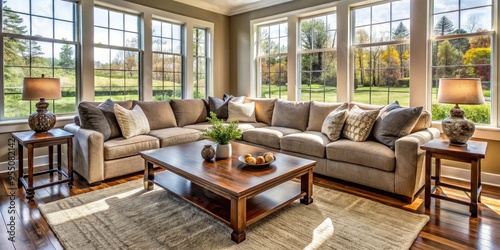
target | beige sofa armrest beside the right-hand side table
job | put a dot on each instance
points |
(410, 172)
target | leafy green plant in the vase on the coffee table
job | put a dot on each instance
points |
(221, 132)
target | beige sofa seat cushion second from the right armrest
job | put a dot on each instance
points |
(309, 143)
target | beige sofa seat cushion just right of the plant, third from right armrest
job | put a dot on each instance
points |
(269, 136)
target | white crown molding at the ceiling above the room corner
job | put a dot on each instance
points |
(230, 11)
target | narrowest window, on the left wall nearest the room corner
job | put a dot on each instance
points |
(200, 60)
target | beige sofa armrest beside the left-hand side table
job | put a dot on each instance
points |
(88, 152)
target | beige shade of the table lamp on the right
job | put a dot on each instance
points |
(460, 91)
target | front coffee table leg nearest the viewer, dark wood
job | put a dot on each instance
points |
(238, 219)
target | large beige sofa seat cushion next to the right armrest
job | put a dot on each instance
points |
(368, 153)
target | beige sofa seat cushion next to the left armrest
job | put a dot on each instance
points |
(120, 147)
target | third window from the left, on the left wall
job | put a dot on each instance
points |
(167, 61)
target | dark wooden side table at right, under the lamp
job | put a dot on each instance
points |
(440, 149)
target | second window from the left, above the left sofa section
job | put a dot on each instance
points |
(116, 55)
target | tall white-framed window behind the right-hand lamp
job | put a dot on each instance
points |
(461, 47)
